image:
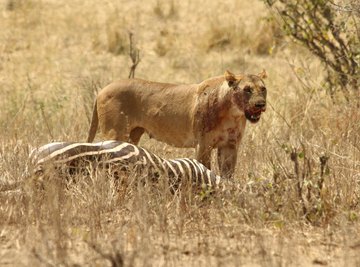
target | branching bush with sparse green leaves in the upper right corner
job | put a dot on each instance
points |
(331, 32)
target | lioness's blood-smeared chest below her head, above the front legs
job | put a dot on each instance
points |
(230, 128)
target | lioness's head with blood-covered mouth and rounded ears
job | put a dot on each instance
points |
(249, 93)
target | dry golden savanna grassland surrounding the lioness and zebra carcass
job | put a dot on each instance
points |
(298, 169)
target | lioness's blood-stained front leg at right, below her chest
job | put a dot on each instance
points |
(227, 156)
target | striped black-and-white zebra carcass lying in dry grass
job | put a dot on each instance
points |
(122, 155)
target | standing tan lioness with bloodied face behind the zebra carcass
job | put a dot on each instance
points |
(208, 115)
